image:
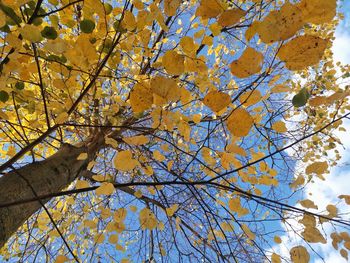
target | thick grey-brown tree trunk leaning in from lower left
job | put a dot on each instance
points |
(44, 177)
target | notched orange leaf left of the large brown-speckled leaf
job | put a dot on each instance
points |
(248, 64)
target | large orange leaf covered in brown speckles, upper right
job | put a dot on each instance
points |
(302, 51)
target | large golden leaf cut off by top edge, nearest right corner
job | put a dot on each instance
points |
(318, 11)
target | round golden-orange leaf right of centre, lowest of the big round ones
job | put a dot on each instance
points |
(239, 122)
